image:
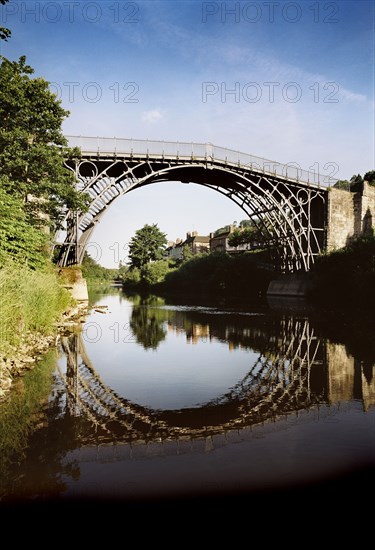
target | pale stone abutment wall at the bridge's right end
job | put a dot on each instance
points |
(349, 215)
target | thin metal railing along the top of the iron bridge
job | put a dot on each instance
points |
(189, 150)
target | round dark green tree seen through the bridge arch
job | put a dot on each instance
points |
(146, 246)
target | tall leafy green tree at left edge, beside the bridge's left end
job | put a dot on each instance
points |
(33, 147)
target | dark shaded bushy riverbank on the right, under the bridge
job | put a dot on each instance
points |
(342, 278)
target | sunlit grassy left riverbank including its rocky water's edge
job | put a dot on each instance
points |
(37, 307)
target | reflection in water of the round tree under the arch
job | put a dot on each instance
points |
(147, 323)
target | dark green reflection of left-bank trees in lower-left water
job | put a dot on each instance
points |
(46, 438)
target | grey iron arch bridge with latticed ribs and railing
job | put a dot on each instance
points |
(288, 204)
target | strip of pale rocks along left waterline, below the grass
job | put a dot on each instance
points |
(19, 359)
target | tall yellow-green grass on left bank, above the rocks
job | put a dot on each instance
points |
(29, 301)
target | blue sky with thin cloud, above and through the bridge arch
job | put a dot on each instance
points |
(289, 81)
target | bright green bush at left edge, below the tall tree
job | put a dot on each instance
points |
(20, 242)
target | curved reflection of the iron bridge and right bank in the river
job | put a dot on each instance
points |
(294, 370)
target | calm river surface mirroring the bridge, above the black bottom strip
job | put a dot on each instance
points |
(154, 399)
